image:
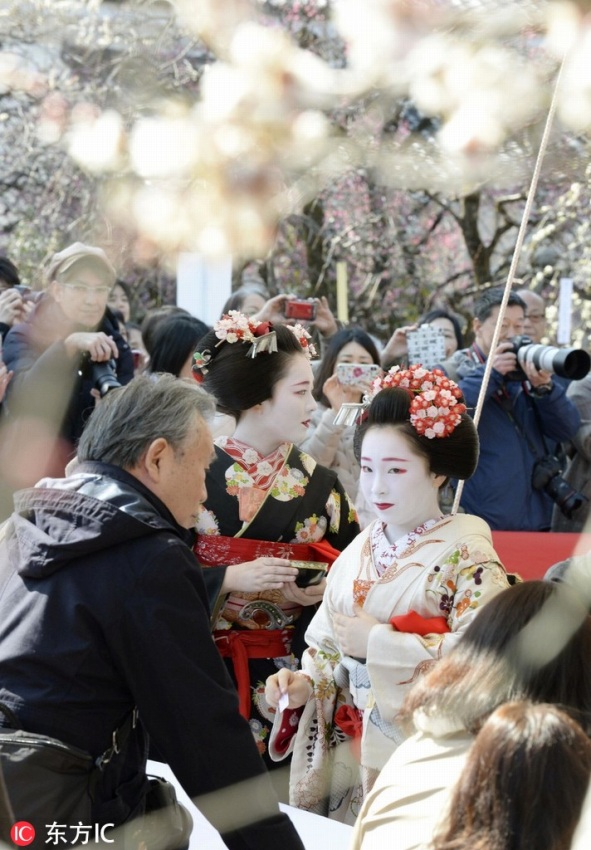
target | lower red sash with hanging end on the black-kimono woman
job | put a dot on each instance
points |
(242, 645)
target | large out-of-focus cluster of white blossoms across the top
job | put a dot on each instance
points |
(216, 175)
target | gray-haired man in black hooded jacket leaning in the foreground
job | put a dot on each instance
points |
(103, 608)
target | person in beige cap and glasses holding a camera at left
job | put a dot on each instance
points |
(67, 354)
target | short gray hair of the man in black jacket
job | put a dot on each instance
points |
(128, 420)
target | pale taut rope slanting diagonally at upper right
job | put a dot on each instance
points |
(513, 268)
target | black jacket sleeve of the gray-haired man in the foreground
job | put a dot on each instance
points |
(189, 705)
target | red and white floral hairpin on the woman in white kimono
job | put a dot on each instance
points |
(435, 409)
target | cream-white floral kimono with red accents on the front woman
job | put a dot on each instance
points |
(445, 569)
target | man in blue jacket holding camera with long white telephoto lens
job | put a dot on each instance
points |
(523, 419)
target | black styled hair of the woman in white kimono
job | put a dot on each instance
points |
(454, 456)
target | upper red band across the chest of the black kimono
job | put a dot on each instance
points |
(214, 550)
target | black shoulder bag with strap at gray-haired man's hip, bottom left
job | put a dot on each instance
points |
(49, 781)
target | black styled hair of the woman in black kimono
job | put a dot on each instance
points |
(239, 381)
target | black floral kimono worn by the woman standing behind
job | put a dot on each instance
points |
(285, 498)
